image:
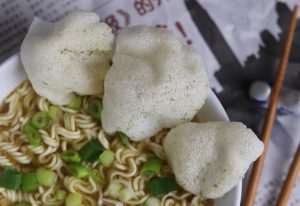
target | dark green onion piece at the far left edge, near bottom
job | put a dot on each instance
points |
(10, 178)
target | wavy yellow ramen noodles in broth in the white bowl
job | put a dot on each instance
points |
(73, 130)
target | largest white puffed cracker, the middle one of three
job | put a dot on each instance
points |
(155, 82)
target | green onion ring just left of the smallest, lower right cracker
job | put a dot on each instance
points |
(151, 167)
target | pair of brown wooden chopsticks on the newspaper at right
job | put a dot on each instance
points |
(268, 125)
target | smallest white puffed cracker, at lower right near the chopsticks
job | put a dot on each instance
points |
(211, 158)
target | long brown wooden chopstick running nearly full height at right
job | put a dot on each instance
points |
(271, 113)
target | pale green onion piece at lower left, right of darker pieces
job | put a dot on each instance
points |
(45, 177)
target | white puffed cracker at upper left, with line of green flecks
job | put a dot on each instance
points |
(67, 57)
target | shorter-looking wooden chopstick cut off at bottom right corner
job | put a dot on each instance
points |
(290, 180)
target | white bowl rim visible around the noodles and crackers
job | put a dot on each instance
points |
(12, 74)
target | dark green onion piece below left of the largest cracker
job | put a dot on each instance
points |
(90, 151)
